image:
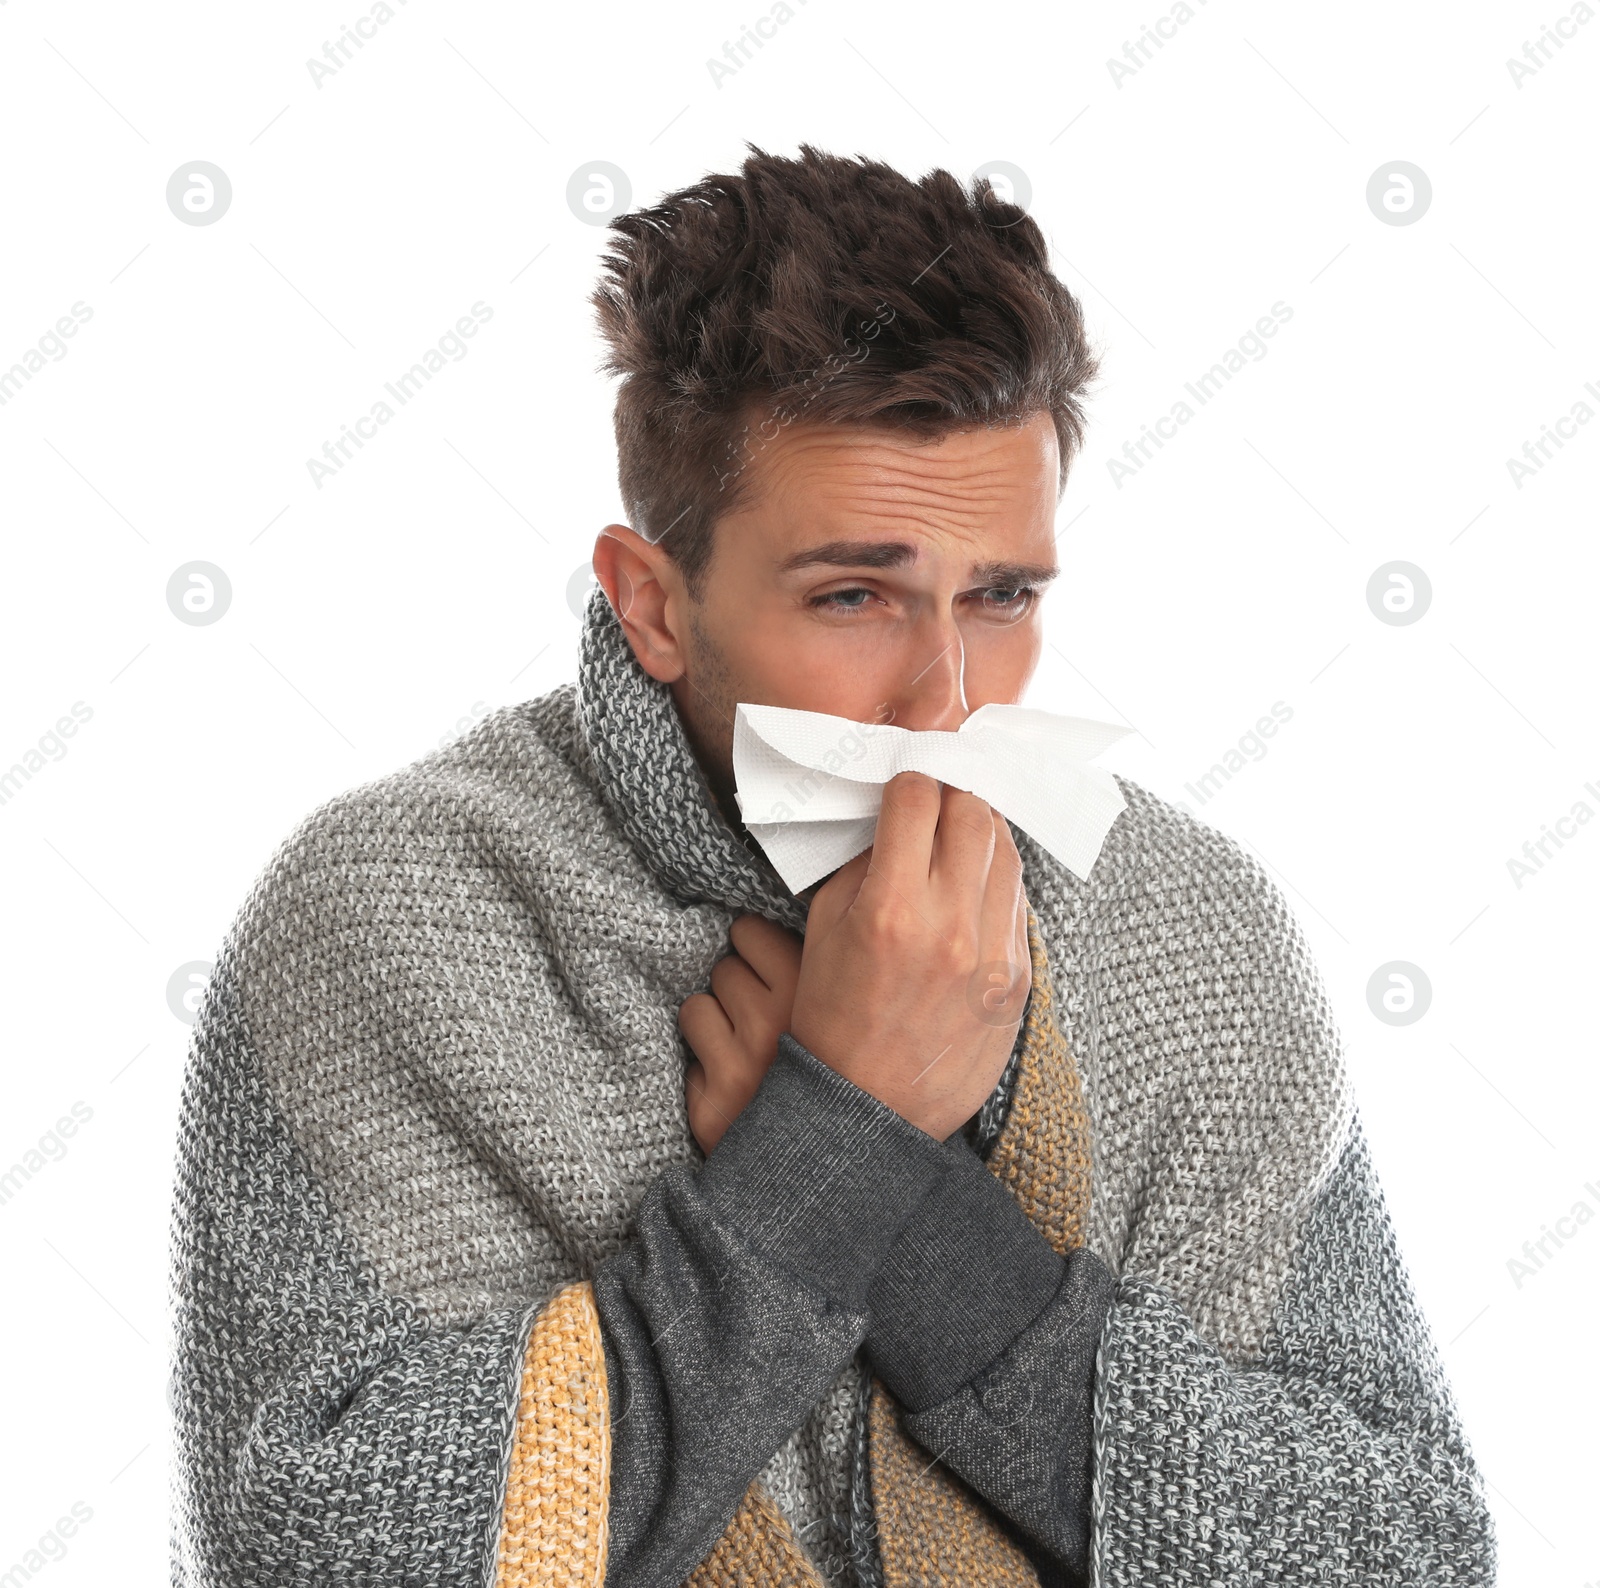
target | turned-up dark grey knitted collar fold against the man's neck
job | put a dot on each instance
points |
(647, 772)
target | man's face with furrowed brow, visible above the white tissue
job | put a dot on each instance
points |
(868, 575)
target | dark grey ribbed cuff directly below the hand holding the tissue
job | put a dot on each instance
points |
(820, 1176)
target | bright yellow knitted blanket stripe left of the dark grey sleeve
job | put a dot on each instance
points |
(553, 1528)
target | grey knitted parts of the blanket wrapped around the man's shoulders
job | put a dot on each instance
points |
(438, 1069)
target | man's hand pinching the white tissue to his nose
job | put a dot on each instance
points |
(916, 966)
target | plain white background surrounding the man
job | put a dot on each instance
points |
(428, 582)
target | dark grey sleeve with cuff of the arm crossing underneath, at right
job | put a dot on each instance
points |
(988, 1339)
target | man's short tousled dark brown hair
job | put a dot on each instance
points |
(833, 291)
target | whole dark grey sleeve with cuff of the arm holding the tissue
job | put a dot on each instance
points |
(740, 1299)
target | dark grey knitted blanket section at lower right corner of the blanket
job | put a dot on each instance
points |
(1338, 1459)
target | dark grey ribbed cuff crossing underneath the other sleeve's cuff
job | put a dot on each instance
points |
(967, 1275)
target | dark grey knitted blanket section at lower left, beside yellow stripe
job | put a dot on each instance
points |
(326, 1432)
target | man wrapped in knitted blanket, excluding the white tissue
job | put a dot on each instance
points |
(564, 1201)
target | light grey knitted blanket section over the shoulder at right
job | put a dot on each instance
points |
(1214, 1072)
